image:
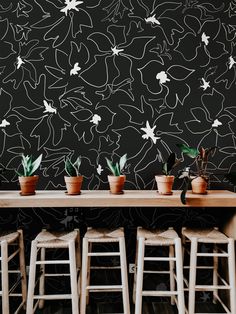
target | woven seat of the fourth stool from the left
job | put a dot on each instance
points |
(157, 237)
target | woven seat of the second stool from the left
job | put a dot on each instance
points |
(49, 239)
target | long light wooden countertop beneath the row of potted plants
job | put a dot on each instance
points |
(103, 198)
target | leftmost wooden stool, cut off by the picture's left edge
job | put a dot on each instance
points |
(7, 240)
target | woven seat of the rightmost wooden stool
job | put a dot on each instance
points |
(206, 235)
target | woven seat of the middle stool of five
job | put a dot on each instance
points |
(104, 235)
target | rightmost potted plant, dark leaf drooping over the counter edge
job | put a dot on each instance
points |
(199, 179)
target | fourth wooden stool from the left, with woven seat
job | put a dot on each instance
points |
(167, 238)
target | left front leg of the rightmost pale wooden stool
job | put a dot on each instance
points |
(192, 275)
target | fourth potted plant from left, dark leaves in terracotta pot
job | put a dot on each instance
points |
(165, 181)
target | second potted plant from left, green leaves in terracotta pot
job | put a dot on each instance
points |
(73, 179)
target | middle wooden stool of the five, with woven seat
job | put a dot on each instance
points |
(103, 236)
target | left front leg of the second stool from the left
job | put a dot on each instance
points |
(32, 273)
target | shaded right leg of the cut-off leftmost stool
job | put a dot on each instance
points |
(22, 267)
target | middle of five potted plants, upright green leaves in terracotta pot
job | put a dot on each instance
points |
(117, 179)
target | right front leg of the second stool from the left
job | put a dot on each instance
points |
(73, 278)
